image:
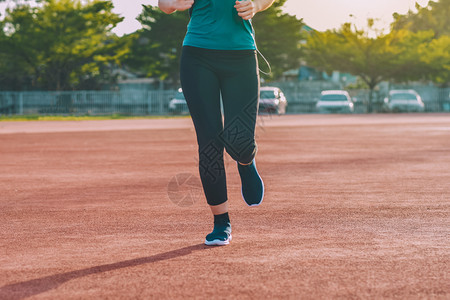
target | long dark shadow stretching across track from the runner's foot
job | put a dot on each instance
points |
(37, 286)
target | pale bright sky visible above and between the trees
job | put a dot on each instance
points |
(318, 14)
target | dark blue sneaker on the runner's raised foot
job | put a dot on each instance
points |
(252, 185)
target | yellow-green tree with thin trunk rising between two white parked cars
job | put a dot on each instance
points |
(372, 58)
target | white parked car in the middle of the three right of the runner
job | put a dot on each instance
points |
(335, 101)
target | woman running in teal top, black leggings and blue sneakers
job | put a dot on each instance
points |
(219, 61)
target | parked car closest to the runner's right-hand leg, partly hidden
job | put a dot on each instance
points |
(272, 100)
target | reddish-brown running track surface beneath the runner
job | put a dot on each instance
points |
(356, 207)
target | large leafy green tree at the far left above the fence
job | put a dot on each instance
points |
(61, 44)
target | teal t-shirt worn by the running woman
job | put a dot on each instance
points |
(215, 24)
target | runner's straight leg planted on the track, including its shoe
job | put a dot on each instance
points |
(202, 91)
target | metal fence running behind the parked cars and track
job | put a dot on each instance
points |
(301, 97)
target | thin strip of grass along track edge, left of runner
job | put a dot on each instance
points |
(80, 118)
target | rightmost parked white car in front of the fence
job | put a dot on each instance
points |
(404, 101)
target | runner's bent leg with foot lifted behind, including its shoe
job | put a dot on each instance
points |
(240, 91)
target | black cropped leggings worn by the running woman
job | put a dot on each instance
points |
(205, 75)
